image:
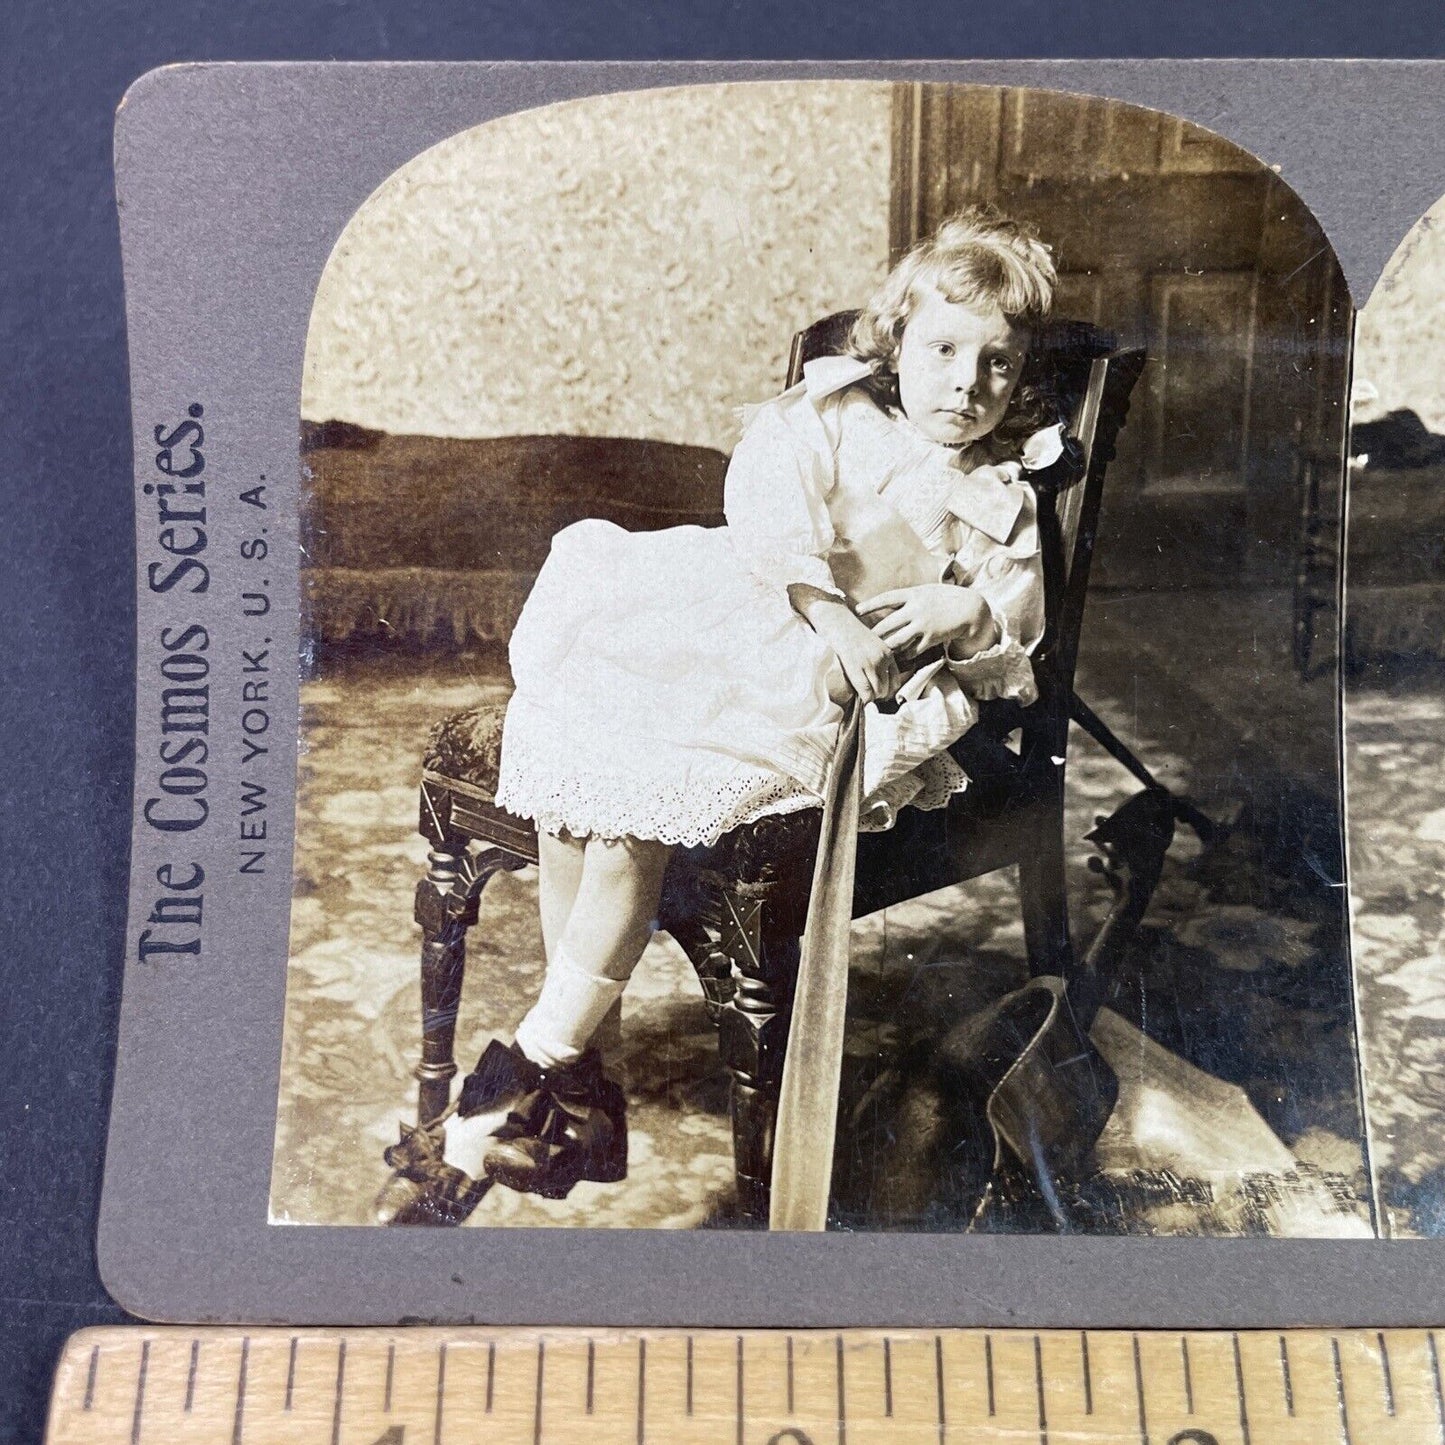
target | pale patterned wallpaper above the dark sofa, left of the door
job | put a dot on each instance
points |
(628, 265)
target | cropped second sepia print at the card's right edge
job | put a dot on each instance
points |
(1394, 654)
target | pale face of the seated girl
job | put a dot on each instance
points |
(957, 369)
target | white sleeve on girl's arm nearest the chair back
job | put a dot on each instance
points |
(1011, 580)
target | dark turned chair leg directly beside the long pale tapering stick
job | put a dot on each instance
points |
(754, 1041)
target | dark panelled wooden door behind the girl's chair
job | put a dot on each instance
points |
(1174, 238)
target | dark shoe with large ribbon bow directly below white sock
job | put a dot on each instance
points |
(570, 1126)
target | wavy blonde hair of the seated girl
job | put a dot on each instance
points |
(978, 258)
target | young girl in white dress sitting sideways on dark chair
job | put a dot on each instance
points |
(671, 686)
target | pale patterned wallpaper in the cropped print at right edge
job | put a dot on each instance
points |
(1401, 349)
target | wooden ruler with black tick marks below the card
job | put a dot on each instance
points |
(174, 1386)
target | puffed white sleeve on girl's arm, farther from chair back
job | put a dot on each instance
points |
(775, 498)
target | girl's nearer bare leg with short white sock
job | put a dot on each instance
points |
(612, 920)
